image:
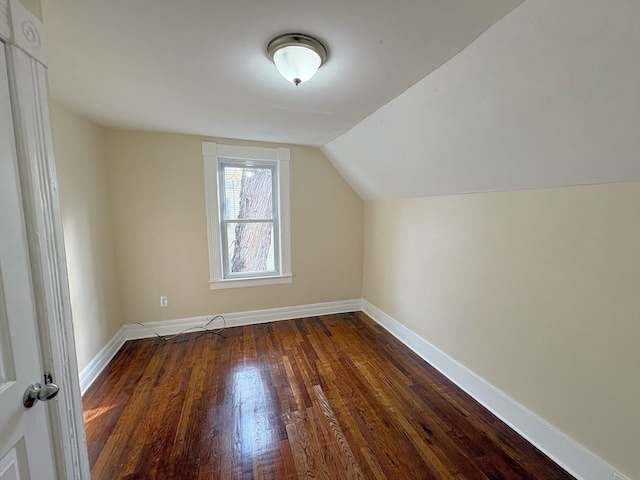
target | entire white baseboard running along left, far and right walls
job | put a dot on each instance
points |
(570, 455)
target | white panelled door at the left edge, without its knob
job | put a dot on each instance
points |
(25, 438)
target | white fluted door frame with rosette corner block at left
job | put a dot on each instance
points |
(22, 36)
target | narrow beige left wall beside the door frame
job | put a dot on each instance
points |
(81, 167)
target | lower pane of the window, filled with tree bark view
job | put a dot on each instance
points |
(250, 247)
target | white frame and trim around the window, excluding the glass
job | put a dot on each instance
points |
(214, 154)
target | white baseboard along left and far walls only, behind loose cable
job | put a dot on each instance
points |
(171, 327)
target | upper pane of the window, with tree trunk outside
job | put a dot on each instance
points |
(248, 193)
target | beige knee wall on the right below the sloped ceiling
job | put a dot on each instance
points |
(537, 292)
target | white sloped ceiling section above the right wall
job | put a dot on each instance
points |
(548, 96)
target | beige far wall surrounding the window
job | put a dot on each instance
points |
(158, 205)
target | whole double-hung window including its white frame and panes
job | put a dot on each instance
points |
(247, 194)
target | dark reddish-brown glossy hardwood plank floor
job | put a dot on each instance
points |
(326, 397)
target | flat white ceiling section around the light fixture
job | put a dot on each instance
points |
(199, 67)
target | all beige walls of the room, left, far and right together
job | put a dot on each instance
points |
(537, 291)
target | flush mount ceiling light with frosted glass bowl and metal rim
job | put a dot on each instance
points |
(297, 56)
